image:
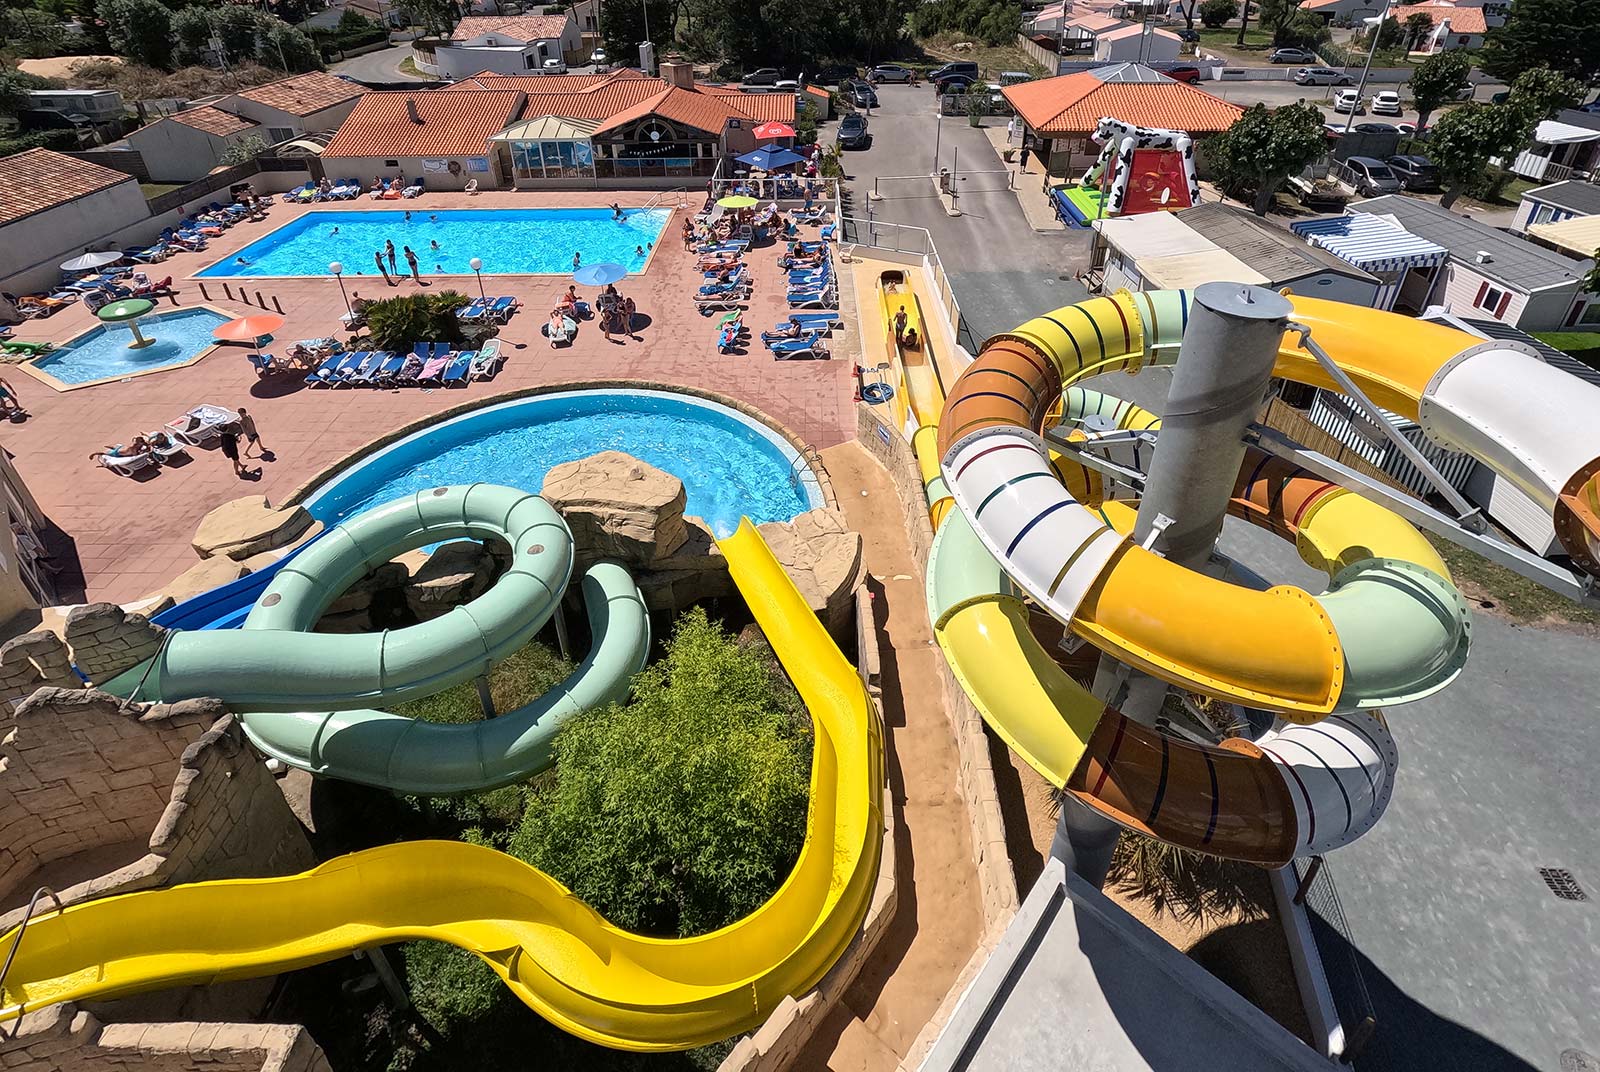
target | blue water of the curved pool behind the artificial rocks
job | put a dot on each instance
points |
(729, 463)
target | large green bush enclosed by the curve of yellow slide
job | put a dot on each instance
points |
(684, 810)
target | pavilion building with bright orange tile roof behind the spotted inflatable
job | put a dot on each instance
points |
(1060, 114)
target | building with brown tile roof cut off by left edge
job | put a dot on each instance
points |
(52, 209)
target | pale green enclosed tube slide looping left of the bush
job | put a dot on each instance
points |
(305, 697)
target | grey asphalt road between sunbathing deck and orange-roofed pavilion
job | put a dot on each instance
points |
(1001, 268)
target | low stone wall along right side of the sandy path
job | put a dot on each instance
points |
(998, 881)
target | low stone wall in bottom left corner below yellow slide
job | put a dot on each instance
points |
(66, 1038)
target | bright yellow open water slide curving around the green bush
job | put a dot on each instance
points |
(556, 953)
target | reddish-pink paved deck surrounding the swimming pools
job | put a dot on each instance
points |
(135, 535)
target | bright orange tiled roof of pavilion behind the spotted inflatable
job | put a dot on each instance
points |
(1074, 105)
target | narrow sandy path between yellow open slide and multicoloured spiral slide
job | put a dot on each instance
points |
(938, 918)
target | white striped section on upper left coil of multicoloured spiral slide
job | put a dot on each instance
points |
(1050, 545)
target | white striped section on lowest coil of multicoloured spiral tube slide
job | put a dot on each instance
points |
(1340, 775)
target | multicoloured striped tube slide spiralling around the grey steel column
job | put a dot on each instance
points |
(1390, 630)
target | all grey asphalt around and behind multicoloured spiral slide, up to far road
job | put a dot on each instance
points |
(1470, 959)
